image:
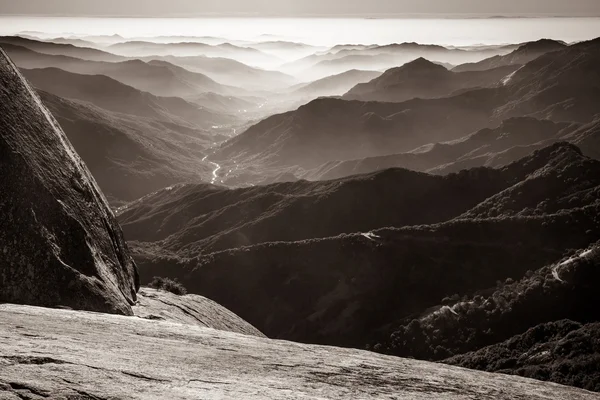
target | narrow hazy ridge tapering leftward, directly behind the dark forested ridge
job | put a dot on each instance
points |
(511, 140)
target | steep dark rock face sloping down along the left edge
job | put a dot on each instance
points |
(60, 244)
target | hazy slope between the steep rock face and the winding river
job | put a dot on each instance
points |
(131, 156)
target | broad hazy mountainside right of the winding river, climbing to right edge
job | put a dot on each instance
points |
(559, 86)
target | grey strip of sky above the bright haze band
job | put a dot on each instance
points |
(299, 7)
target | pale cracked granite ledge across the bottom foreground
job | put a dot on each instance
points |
(49, 353)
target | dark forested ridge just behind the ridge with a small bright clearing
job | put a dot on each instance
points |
(193, 219)
